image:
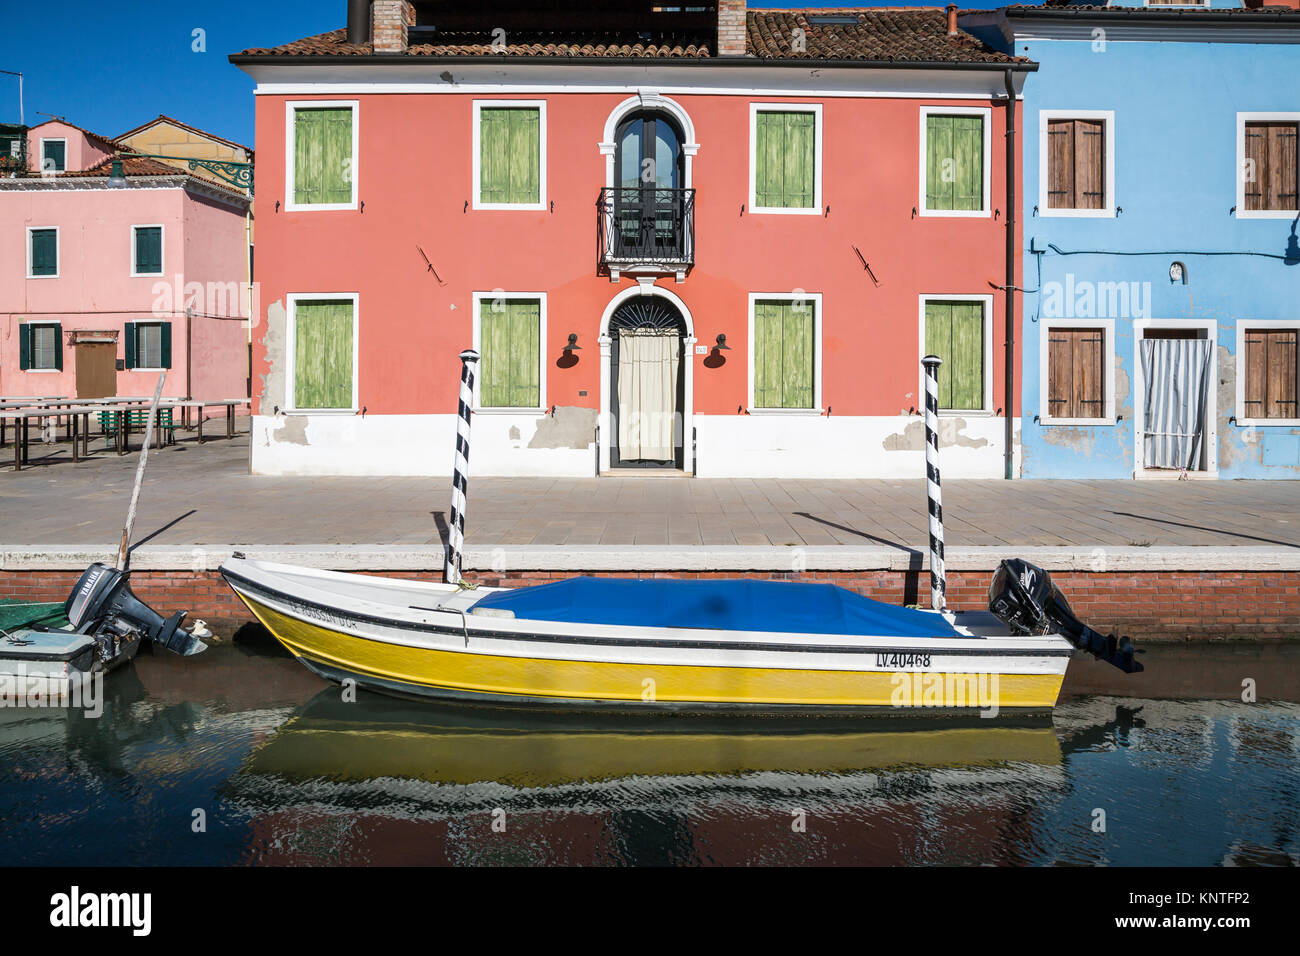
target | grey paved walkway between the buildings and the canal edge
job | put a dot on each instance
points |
(203, 496)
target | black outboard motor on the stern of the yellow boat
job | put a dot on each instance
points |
(1025, 599)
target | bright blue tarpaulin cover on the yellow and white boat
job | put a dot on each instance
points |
(725, 605)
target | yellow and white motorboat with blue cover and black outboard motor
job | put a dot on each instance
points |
(746, 646)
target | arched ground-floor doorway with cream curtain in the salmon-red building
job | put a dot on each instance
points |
(648, 369)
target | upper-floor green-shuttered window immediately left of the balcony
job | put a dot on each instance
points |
(510, 155)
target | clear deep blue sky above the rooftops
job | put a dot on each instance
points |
(111, 67)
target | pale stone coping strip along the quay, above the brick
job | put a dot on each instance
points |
(740, 559)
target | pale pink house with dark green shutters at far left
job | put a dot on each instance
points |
(107, 280)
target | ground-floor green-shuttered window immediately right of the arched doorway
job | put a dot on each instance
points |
(786, 353)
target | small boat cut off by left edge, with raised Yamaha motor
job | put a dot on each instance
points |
(49, 651)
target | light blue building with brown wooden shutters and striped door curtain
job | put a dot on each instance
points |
(1163, 269)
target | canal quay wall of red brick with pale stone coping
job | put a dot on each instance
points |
(1159, 594)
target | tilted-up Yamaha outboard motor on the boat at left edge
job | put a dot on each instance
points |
(103, 607)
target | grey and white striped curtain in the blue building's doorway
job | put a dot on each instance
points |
(1177, 375)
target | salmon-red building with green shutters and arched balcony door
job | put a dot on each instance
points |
(687, 239)
